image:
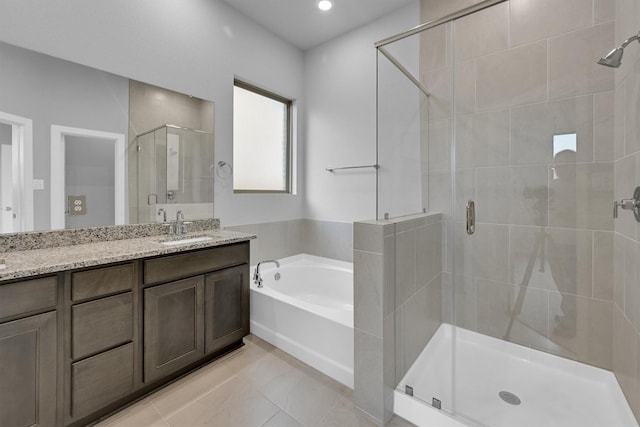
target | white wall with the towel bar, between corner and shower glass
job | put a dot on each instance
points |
(340, 90)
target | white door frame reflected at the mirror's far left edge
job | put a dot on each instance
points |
(22, 168)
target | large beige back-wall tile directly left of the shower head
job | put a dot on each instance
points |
(572, 68)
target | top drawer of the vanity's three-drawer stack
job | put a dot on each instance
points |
(102, 281)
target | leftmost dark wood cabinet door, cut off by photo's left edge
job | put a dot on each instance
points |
(28, 371)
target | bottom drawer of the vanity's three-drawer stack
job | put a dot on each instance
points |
(101, 379)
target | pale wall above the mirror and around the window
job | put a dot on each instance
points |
(195, 47)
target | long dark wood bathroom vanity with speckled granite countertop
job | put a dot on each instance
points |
(88, 328)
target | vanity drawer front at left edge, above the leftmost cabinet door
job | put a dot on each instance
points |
(27, 296)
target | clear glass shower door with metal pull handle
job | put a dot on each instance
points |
(532, 150)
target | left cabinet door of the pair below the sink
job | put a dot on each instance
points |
(173, 326)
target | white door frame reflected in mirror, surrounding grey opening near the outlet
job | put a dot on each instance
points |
(58, 134)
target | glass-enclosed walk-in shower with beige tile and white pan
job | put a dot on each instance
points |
(496, 134)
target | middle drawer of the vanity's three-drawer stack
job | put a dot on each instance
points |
(101, 324)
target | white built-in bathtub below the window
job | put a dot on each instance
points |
(308, 312)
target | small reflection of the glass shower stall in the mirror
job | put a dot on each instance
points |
(174, 171)
